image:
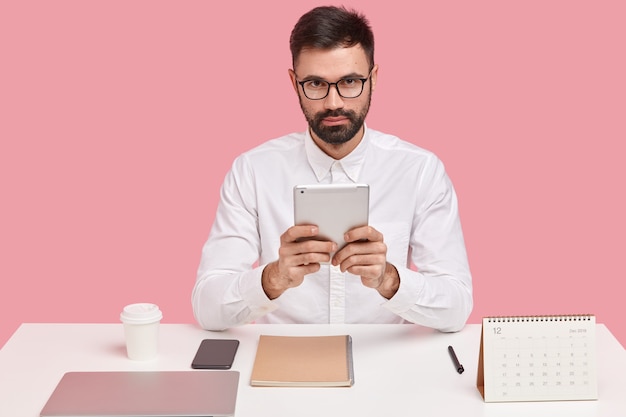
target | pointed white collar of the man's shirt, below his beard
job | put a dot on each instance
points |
(321, 163)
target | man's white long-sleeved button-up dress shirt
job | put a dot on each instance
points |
(412, 203)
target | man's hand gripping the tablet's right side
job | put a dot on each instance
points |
(366, 255)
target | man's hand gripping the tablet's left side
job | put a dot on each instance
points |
(296, 258)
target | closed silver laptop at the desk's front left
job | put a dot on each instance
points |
(159, 393)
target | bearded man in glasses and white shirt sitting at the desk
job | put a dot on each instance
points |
(255, 268)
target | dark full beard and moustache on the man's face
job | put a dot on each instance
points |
(336, 135)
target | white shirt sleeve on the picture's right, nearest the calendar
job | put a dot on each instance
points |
(439, 293)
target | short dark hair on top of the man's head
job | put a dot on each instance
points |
(329, 27)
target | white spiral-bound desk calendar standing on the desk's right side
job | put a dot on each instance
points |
(538, 358)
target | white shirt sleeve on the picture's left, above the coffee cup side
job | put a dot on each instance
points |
(228, 289)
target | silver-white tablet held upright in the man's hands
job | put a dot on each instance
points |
(333, 208)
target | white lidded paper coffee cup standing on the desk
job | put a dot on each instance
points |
(141, 328)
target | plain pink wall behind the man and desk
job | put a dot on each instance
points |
(119, 119)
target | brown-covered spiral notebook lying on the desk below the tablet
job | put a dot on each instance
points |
(303, 361)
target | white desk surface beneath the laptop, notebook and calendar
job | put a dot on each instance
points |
(400, 370)
